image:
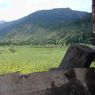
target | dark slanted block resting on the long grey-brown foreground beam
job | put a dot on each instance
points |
(77, 56)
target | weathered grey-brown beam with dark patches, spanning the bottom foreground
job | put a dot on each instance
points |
(67, 82)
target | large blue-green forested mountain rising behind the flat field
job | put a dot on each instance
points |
(56, 26)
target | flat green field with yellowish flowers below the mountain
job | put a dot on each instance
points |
(27, 59)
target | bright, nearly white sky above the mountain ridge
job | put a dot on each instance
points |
(15, 9)
